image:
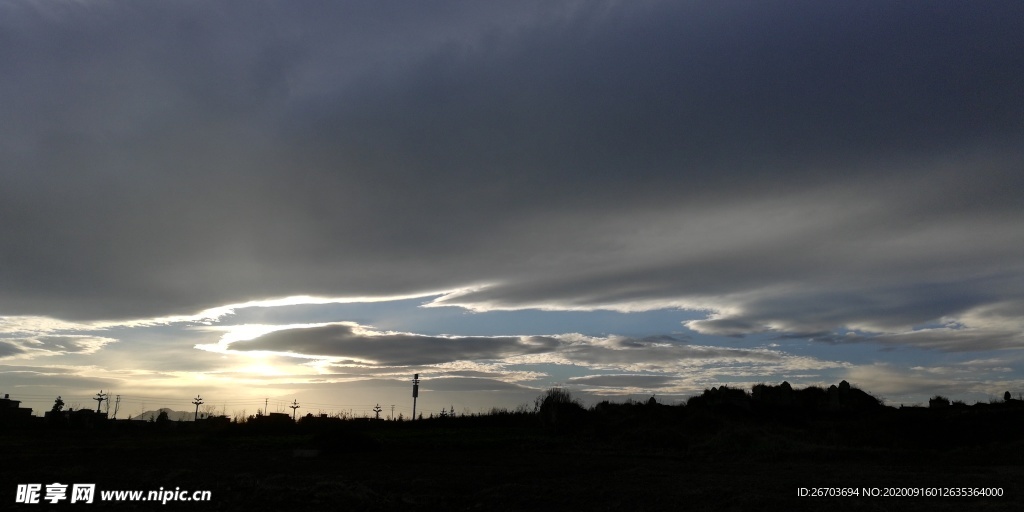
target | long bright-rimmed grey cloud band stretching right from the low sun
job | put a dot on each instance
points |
(349, 351)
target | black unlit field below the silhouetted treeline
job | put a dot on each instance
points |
(627, 457)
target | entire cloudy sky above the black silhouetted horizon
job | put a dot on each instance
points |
(271, 203)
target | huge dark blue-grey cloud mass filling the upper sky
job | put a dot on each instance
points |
(787, 168)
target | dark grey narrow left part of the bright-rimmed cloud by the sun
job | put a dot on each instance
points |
(350, 343)
